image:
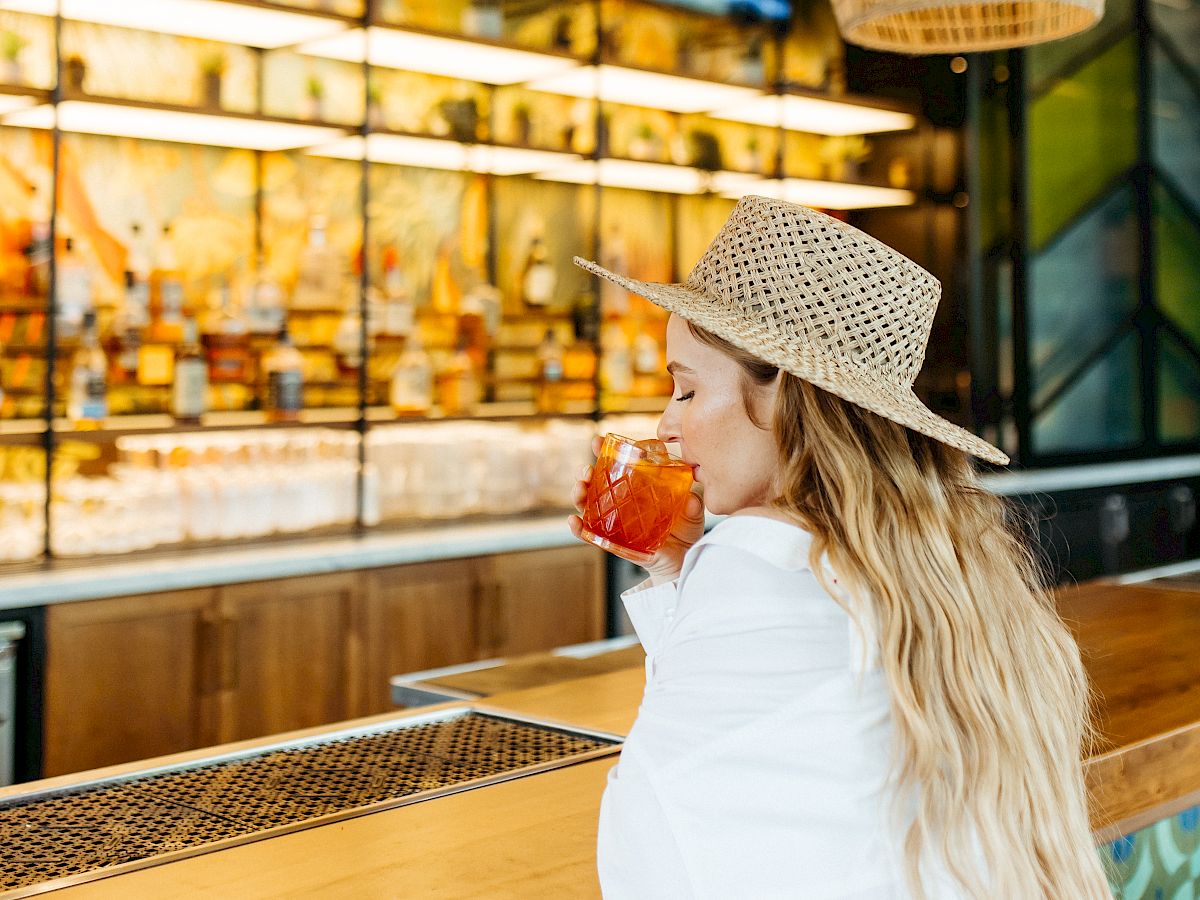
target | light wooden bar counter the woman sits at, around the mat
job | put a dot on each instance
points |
(536, 837)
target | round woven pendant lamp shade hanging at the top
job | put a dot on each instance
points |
(962, 27)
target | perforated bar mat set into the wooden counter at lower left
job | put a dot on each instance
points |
(101, 829)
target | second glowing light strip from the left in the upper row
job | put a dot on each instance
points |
(434, 55)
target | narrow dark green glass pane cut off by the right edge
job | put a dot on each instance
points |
(1178, 259)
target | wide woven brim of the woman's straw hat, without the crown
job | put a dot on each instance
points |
(803, 362)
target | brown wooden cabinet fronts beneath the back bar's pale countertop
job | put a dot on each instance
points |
(134, 677)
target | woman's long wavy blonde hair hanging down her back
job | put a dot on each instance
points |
(989, 698)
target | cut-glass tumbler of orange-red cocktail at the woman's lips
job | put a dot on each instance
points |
(635, 496)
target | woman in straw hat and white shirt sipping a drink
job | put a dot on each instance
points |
(855, 687)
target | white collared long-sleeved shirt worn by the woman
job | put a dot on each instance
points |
(759, 763)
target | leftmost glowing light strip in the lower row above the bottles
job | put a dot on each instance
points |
(77, 116)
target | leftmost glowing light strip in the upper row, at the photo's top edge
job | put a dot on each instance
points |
(208, 20)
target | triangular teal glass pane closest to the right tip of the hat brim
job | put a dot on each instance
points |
(1102, 411)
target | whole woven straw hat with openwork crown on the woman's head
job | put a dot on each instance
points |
(821, 301)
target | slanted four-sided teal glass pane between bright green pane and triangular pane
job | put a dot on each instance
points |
(1082, 289)
